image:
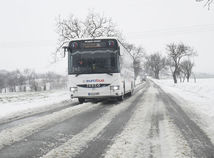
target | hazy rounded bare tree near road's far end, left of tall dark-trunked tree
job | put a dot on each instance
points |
(155, 63)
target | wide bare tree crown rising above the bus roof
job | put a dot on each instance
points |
(94, 25)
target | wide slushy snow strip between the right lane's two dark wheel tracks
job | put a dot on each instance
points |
(149, 133)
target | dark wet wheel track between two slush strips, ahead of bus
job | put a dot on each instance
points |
(43, 141)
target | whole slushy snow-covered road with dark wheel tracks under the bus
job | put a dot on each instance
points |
(151, 123)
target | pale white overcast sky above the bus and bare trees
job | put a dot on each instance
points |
(28, 37)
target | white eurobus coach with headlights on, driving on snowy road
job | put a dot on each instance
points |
(99, 68)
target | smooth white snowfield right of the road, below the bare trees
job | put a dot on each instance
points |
(196, 98)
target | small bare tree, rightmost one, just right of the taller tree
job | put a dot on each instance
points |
(186, 67)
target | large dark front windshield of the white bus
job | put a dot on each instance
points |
(98, 61)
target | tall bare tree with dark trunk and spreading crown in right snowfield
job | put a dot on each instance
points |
(176, 52)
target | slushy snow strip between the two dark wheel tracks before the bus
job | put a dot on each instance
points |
(14, 134)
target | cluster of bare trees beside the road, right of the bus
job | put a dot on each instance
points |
(177, 61)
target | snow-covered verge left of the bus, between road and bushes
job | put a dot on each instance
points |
(25, 102)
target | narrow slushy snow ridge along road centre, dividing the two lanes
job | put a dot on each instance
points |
(80, 141)
